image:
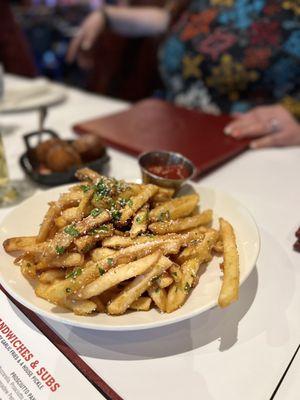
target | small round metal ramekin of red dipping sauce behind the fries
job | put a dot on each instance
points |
(159, 157)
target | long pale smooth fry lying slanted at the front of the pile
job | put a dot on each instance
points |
(118, 274)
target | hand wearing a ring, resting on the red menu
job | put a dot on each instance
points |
(269, 125)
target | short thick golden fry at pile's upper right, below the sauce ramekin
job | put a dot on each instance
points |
(176, 208)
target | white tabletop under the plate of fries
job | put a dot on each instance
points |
(237, 353)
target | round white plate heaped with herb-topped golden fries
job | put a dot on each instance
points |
(113, 255)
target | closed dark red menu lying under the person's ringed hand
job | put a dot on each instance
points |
(158, 125)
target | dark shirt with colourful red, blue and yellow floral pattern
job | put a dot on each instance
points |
(231, 55)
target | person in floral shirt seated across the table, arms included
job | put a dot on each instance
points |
(232, 56)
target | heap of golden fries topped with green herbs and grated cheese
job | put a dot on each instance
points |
(110, 246)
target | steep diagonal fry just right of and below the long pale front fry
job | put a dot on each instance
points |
(138, 286)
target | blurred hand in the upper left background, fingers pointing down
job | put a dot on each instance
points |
(90, 29)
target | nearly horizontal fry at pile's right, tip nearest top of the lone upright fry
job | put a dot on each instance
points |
(182, 224)
